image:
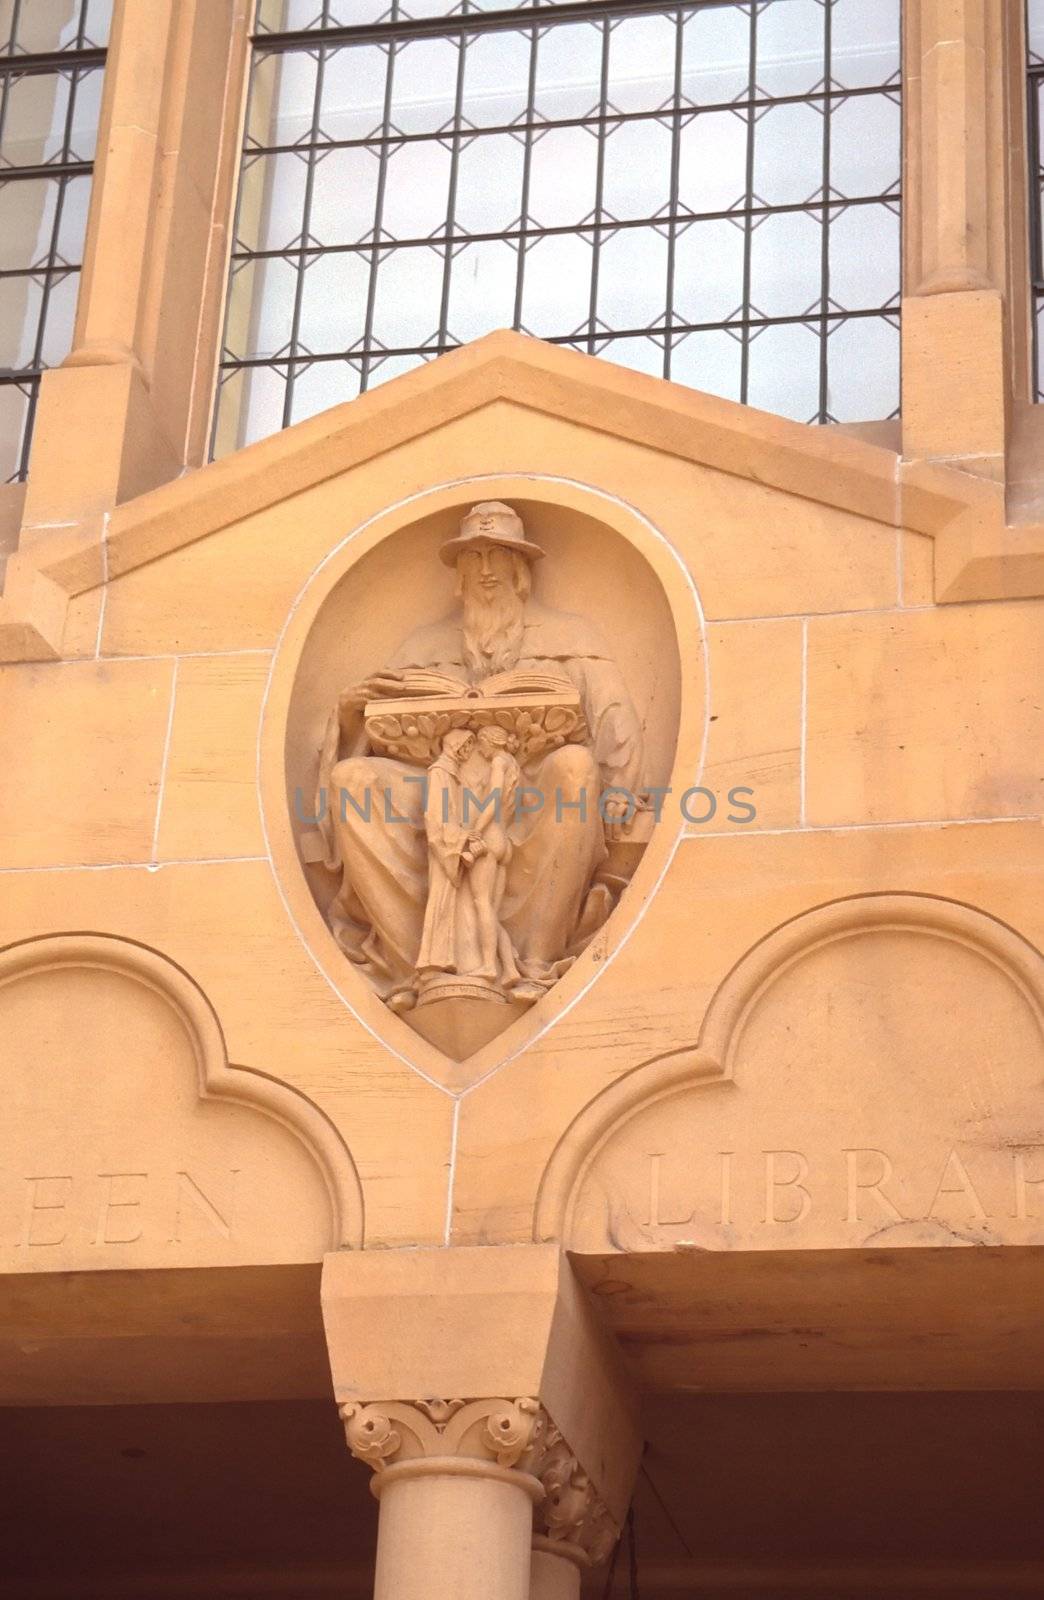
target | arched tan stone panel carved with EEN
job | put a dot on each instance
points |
(129, 1138)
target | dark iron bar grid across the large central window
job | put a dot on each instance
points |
(745, 324)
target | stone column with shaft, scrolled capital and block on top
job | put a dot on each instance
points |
(481, 1498)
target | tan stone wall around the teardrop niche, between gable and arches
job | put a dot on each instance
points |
(893, 746)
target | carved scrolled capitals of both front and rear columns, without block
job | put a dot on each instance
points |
(492, 1436)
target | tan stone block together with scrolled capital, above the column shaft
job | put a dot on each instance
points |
(476, 1329)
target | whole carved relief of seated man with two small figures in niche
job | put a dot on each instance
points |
(480, 793)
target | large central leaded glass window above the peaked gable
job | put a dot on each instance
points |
(707, 191)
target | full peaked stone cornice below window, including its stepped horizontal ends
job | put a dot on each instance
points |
(978, 554)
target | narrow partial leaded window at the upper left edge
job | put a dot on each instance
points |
(52, 63)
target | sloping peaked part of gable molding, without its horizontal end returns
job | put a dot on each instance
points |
(813, 463)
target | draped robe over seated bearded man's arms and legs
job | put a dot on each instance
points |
(553, 903)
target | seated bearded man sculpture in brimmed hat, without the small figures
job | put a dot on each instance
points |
(556, 887)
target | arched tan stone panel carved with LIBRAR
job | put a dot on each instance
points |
(869, 1074)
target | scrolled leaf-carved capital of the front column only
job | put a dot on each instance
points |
(502, 1434)
